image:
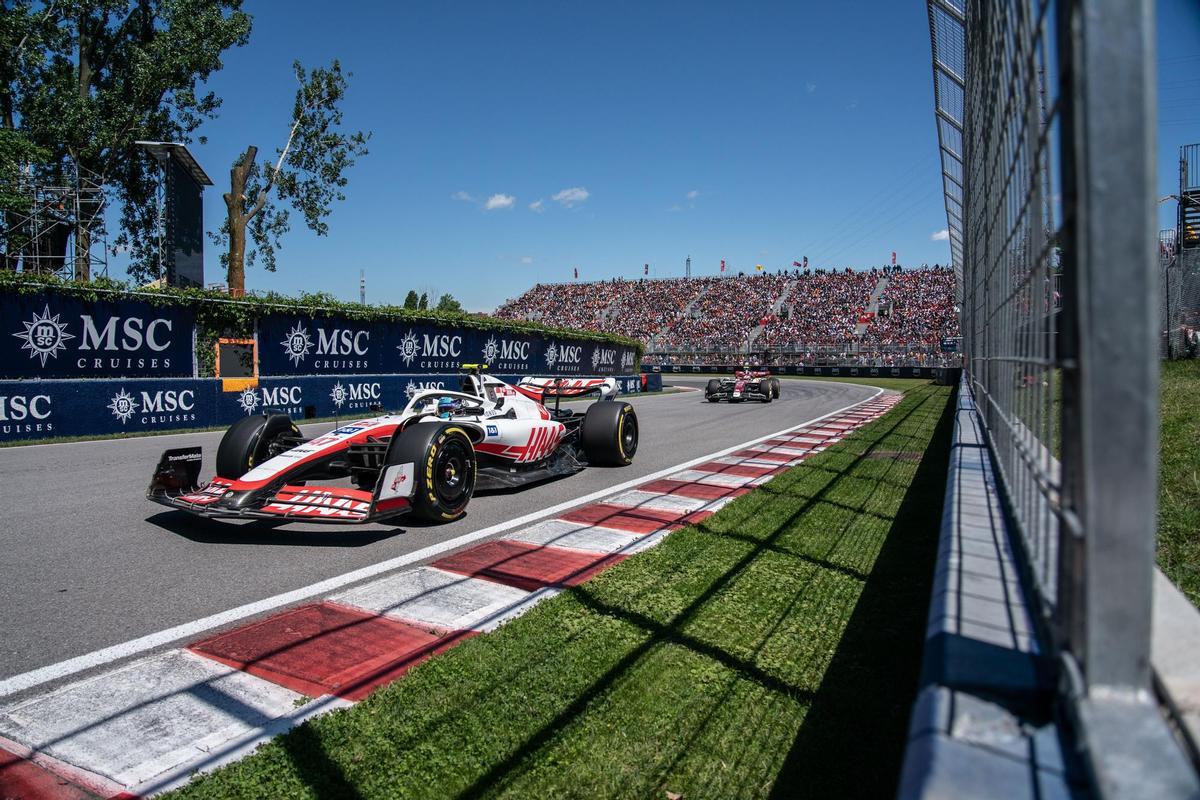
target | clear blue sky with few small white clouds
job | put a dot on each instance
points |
(753, 133)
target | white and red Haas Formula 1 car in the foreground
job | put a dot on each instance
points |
(429, 460)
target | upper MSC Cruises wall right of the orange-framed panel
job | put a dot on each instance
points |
(293, 345)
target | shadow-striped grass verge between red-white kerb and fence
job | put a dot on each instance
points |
(771, 652)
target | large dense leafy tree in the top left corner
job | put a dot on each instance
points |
(88, 79)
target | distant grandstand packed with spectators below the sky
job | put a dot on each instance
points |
(886, 317)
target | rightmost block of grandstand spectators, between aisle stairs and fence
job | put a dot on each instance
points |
(917, 308)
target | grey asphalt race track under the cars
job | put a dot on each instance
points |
(89, 563)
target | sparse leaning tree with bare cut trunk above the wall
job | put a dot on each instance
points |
(309, 176)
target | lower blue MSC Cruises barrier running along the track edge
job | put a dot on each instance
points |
(40, 410)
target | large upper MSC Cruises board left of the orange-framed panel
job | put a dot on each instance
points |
(57, 335)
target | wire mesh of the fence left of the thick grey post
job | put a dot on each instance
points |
(999, 118)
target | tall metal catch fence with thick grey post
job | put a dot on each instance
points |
(1046, 116)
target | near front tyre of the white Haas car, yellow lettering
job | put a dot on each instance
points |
(445, 468)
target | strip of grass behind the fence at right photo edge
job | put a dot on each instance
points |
(1179, 492)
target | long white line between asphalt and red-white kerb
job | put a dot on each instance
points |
(189, 630)
